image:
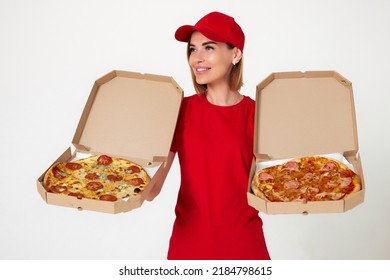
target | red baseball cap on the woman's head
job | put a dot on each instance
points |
(215, 26)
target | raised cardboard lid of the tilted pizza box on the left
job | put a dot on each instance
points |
(131, 115)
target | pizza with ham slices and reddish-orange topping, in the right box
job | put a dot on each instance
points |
(313, 178)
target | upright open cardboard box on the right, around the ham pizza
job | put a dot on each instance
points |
(304, 114)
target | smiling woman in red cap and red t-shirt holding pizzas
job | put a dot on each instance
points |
(214, 143)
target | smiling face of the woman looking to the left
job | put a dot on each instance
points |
(210, 61)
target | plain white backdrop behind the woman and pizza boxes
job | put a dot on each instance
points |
(51, 52)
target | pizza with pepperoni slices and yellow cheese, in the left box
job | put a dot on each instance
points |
(98, 177)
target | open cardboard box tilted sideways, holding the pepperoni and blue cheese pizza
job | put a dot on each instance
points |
(128, 115)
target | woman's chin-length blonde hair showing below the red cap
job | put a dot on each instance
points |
(235, 76)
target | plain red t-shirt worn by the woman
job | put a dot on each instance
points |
(215, 151)
